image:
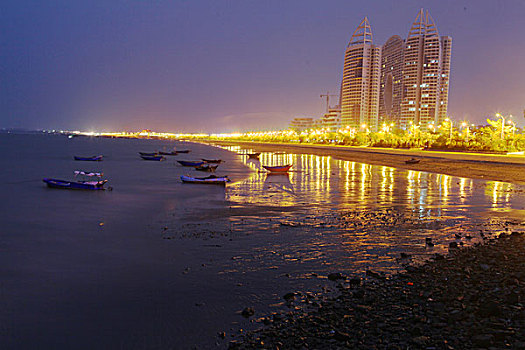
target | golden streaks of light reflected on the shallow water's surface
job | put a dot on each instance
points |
(353, 216)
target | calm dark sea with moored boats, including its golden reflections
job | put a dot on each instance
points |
(157, 264)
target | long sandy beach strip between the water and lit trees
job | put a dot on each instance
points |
(504, 168)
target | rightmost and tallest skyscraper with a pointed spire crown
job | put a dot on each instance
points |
(426, 74)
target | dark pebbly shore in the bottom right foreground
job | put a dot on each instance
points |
(471, 298)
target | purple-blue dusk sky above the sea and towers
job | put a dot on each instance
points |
(241, 65)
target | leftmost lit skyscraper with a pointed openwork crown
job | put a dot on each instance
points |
(360, 84)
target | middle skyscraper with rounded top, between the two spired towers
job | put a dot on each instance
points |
(391, 83)
